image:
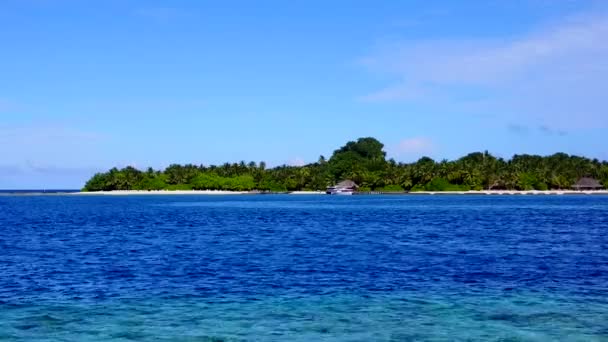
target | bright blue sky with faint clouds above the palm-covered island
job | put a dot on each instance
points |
(89, 85)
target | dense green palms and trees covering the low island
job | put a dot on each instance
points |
(364, 162)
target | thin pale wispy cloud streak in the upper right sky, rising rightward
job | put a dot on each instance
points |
(498, 61)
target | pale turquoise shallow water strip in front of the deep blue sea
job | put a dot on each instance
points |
(380, 317)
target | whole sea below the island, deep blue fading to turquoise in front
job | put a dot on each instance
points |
(303, 268)
